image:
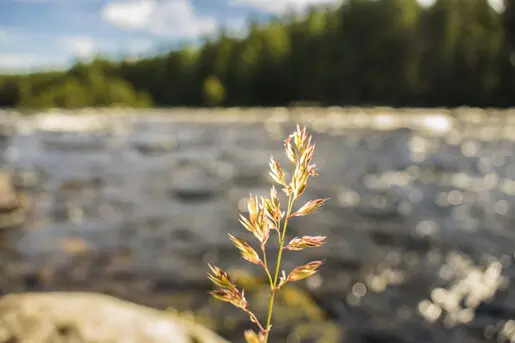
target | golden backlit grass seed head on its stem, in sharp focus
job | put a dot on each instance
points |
(264, 215)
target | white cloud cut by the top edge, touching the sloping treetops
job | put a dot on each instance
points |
(281, 6)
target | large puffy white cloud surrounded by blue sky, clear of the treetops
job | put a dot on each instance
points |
(172, 18)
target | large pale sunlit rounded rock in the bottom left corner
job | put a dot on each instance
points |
(71, 317)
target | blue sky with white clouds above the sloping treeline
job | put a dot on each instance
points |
(37, 34)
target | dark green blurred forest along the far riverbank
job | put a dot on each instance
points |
(365, 53)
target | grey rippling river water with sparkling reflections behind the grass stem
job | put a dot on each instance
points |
(420, 219)
